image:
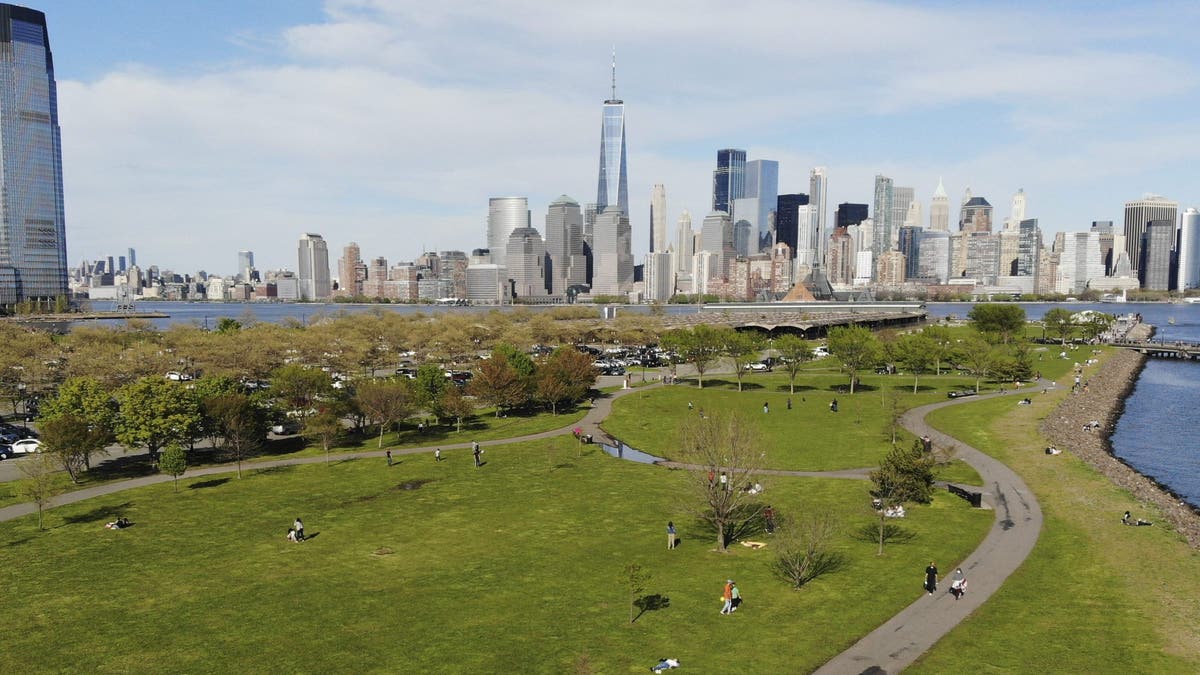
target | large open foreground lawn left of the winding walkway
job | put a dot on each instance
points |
(512, 568)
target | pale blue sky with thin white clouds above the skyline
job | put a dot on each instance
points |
(195, 130)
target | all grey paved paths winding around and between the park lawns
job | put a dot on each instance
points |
(890, 648)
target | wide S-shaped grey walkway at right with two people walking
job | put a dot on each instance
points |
(901, 641)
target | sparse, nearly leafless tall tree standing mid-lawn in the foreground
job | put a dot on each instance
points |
(722, 445)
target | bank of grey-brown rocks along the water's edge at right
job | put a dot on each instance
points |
(1103, 401)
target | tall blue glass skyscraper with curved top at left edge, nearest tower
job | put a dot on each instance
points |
(33, 231)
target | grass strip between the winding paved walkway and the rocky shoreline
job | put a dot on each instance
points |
(1094, 596)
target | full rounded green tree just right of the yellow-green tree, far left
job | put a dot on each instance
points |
(155, 413)
